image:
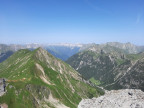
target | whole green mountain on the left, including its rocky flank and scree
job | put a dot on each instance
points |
(36, 79)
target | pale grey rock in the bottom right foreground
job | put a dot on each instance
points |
(128, 98)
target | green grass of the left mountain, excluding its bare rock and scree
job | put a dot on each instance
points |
(20, 76)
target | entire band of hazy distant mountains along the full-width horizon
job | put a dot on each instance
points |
(64, 51)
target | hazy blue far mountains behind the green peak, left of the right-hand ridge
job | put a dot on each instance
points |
(61, 51)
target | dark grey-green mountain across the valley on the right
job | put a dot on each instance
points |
(108, 66)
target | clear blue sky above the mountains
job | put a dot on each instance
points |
(71, 21)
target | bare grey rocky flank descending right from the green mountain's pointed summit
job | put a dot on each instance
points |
(54, 63)
